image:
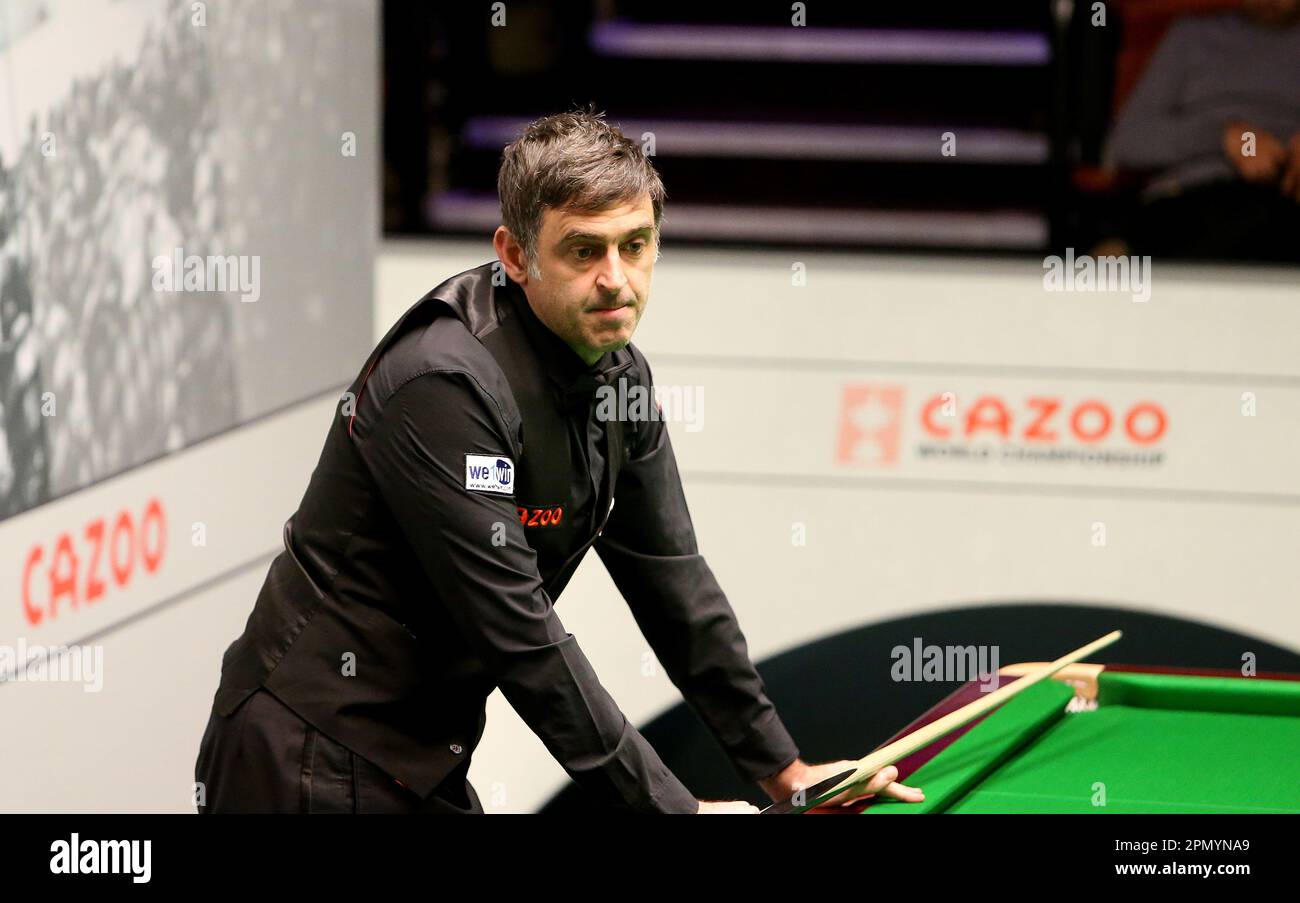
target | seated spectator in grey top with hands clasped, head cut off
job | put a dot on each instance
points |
(1216, 123)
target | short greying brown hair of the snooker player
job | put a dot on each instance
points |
(571, 160)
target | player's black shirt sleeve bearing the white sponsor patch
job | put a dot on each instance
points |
(474, 550)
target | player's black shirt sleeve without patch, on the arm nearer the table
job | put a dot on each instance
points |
(649, 549)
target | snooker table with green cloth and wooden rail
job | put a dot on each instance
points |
(1115, 739)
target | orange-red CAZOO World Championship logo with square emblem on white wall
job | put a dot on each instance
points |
(886, 426)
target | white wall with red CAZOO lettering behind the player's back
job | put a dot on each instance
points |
(129, 745)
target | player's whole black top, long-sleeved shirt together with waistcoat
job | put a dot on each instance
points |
(452, 506)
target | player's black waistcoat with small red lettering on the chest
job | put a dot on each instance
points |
(419, 715)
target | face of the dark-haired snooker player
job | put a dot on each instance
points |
(596, 268)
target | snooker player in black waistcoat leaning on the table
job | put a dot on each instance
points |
(460, 489)
